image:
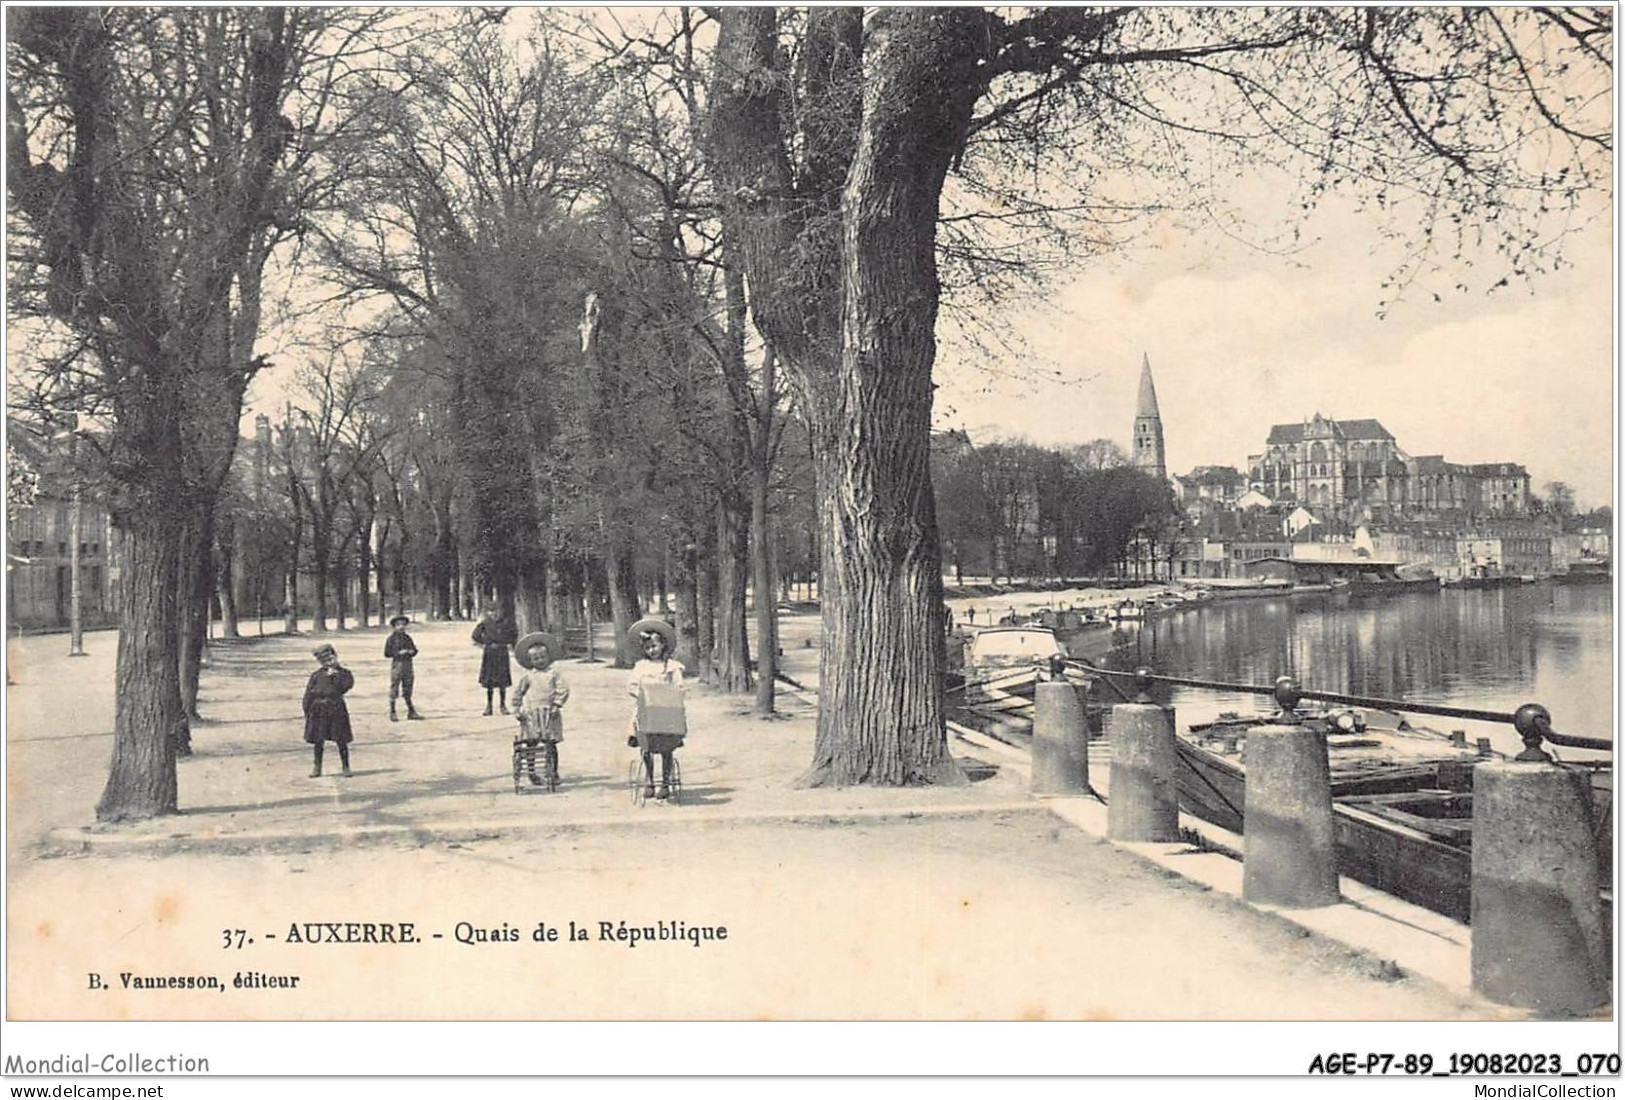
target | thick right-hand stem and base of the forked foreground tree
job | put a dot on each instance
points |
(882, 716)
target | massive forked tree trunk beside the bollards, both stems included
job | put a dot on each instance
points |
(865, 384)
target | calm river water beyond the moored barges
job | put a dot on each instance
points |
(1493, 651)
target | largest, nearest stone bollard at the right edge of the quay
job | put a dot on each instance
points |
(1538, 933)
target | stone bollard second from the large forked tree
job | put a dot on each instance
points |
(1145, 803)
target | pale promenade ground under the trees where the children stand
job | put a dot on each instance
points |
(248, 782)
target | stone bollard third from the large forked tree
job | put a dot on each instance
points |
(1289, 855)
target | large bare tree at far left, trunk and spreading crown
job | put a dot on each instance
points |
(157, 157)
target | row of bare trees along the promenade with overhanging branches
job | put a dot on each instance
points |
(613, 271)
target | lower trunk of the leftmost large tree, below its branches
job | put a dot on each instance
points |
(147, 706)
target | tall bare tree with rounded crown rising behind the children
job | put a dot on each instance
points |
(467, 223)
